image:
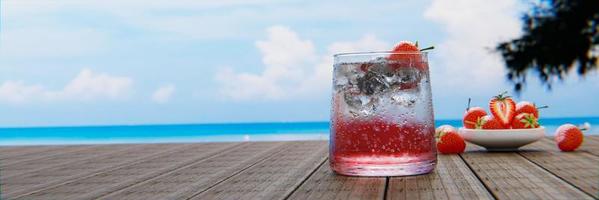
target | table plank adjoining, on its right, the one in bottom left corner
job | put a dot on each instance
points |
(117, 178)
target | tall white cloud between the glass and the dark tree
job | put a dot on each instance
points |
(474, 28)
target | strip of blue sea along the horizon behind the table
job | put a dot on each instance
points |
(281, 131)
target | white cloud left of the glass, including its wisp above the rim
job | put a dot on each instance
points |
(292, 67)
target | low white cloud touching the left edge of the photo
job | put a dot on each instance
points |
(86, 86)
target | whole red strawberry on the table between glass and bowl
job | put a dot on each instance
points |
(450, 141)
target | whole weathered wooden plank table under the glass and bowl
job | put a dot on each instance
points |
(287, 170)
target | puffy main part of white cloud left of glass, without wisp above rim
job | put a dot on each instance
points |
(284, 55)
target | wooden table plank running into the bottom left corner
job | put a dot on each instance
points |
(16, 186)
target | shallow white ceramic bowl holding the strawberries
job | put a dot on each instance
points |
(502, 139)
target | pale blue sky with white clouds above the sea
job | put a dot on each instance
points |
(70, 62)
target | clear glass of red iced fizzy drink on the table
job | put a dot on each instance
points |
(382, 116)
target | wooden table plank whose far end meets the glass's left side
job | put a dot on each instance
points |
(275, 177)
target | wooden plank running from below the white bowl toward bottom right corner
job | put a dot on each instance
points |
(508, 175)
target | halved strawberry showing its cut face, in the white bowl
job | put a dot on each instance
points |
(503, 108)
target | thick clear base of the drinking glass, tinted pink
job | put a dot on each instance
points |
(369, 169)
